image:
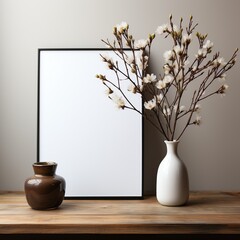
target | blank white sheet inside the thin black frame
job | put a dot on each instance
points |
(98, 148)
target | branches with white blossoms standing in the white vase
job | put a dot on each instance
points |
(164, 96)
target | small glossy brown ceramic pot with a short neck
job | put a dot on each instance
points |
(45, 190)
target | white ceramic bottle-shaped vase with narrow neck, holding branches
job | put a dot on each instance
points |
(172, 178)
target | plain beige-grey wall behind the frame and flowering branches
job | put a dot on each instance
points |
(211, 152)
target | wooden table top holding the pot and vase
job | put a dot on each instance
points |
(206, 212)
